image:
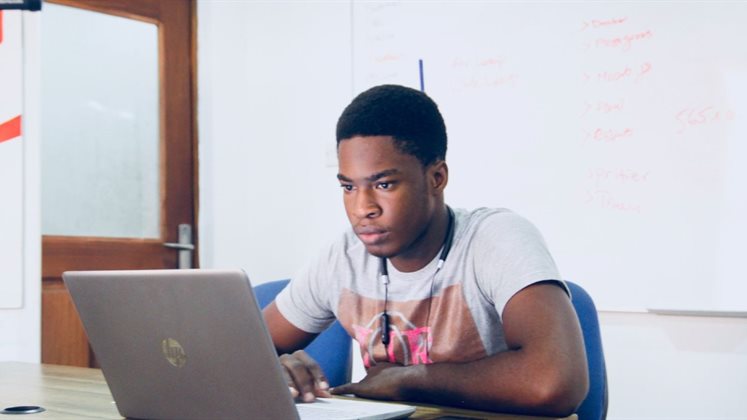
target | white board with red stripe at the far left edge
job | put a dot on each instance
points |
(11, 162)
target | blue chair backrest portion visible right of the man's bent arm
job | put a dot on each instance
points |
(594, 407)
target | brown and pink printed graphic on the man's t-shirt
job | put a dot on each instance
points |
(438, 329)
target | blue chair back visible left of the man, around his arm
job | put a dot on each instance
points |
(331, 349)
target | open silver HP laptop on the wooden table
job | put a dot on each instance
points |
(192, 344)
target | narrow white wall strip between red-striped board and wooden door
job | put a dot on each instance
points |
(20, 328)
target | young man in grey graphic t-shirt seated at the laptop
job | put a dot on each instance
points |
(452, 307)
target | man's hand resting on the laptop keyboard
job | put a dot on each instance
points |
(305, 378)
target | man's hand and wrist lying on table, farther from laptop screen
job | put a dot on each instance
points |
(383, 382)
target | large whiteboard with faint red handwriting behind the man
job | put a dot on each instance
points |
(619, 129)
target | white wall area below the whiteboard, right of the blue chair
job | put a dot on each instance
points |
(667, 367)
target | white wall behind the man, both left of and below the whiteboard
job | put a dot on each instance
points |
(269, 201)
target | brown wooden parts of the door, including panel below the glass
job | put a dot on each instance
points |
(63, 253)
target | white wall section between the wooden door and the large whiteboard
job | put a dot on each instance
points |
(268, 194)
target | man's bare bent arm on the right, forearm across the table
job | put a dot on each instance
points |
(543, 372)
